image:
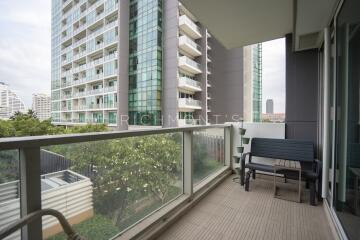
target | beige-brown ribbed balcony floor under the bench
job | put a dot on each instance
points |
(229, 212)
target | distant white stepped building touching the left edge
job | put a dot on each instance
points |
(9, 102)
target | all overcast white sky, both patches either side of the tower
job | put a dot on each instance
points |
(25, 53)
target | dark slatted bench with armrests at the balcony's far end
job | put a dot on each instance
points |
(288, 149)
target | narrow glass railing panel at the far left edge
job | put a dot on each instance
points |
(9, 190)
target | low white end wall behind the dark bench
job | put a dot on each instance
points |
(262, 130)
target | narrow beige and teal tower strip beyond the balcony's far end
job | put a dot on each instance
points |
(253, 83)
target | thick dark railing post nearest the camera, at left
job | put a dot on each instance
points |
(30, 190)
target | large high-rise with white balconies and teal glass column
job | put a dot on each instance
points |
(136, 62)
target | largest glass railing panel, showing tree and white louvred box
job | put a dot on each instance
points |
(103, 187)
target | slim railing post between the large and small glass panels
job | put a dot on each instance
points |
(188, 163)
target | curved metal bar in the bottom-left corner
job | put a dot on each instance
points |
(70, 232)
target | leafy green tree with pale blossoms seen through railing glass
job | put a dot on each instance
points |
(129, 169)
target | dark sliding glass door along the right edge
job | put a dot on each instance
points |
(347, 191)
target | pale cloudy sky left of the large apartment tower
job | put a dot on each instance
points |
(25, 46)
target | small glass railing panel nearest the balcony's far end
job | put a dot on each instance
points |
(208, 152)
